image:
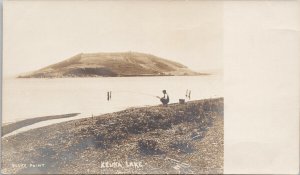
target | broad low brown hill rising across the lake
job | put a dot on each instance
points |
(117, 64)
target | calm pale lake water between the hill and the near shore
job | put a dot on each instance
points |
(29, 98)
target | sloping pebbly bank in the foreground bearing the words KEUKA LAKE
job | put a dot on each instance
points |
(186, 138)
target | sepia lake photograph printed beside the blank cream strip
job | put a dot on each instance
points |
(112, 87)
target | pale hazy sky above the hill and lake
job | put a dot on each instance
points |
(39, 33)
